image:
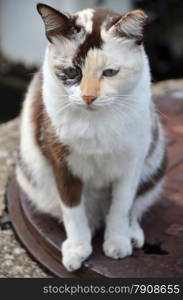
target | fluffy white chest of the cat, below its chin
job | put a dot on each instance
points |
(99, 153)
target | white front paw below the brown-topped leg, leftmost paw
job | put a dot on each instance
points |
(74, 255)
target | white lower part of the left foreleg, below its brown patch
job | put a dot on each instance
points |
(77, 247)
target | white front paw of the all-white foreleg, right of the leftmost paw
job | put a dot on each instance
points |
(117, 248)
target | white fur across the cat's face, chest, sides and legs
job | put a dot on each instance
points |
(108, 148)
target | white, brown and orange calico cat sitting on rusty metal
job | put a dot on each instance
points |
(92, 147)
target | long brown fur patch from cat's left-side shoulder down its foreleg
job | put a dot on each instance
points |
(69, 187)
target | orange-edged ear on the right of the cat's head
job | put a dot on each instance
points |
(131, 25)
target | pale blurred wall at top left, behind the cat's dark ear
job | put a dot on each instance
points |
(21, 29)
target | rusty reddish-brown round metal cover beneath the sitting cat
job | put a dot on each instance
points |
(163, 225)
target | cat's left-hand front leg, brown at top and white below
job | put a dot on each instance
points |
(77, 247)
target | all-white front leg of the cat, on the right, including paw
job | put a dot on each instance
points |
(117, 238)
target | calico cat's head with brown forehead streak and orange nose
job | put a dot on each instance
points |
(96, 55)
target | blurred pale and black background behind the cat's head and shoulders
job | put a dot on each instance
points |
(22, 41)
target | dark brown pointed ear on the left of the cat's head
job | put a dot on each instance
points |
(57, 24)
